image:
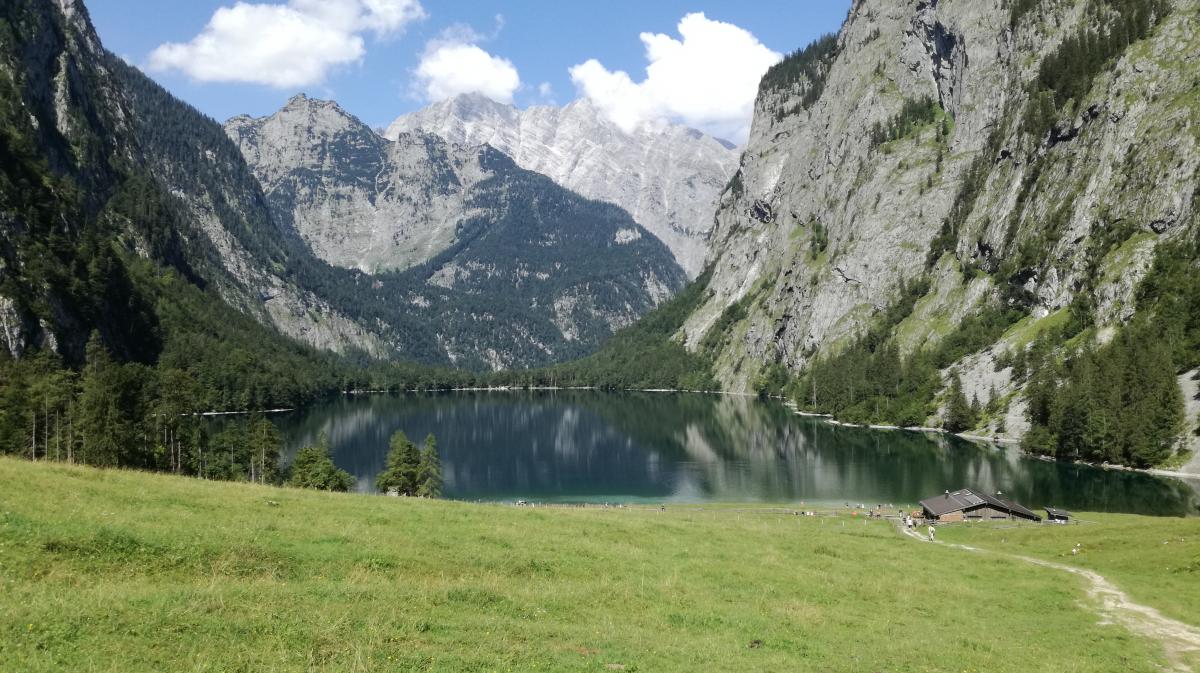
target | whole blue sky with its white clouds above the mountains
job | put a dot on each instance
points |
(689, 62)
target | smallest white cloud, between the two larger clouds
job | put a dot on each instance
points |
(455, 65)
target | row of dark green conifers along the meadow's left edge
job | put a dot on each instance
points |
(129, 416)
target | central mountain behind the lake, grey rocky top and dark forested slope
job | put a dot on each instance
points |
(501, 267)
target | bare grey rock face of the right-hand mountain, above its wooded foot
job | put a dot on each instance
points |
(827, 219)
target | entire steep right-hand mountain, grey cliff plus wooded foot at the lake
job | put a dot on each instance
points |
(1001, 194)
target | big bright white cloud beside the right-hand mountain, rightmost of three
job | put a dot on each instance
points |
(707, 80)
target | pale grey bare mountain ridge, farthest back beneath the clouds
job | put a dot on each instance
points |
(668, 177)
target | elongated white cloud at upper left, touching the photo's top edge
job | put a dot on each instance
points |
(284, 45)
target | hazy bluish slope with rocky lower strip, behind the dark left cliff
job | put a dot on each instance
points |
(248, 256)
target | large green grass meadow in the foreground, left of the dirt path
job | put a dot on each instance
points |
(128, 573)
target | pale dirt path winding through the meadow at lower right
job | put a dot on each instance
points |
(1180, 641)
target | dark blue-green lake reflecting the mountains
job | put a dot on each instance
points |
(586, 447)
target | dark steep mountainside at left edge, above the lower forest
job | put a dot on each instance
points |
(106, 172)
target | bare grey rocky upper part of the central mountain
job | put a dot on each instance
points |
(361, 202)
